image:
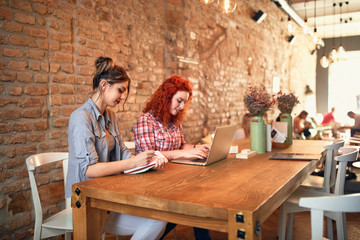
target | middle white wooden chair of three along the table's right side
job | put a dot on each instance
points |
(291, 205)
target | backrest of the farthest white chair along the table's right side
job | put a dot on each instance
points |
(330, 164)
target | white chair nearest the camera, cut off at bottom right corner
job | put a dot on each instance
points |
(344, 203)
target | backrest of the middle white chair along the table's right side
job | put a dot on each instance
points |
(349, 154)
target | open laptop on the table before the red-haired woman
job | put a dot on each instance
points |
(219, 149)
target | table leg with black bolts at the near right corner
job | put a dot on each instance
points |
(243, 226)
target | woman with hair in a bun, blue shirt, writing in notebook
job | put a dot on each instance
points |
(96, 148)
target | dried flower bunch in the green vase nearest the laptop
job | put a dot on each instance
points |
(258, 101)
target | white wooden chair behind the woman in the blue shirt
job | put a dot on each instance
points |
(61, 222)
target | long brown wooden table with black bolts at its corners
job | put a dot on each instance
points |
(233, 195)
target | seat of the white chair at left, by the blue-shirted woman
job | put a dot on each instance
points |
(60, 220)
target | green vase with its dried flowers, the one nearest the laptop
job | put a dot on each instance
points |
(258, 101)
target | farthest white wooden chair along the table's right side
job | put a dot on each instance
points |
(327, 182)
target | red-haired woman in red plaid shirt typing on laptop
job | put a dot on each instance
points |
(159, 128)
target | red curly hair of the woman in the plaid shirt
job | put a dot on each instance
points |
(160, 101)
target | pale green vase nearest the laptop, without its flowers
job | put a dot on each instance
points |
(257, 134)
